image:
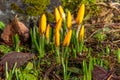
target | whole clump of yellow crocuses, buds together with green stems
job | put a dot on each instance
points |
(61, 40)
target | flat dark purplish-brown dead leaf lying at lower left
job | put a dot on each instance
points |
(15, 57)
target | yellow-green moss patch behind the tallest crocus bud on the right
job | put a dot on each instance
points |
(73, 5)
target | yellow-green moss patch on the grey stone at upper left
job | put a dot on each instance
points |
(32, 7)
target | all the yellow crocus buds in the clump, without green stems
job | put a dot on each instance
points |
(59, 13)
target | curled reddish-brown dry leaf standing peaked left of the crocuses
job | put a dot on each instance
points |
(15, 27)
